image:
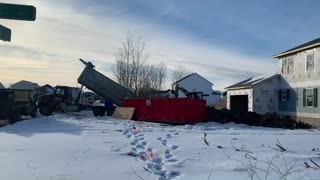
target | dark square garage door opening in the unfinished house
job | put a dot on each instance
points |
(239, 103)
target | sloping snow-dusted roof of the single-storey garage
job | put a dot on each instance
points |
(250, 82)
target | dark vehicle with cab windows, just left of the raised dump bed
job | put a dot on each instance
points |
(64, 99)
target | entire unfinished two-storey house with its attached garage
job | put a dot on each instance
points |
(292, 92)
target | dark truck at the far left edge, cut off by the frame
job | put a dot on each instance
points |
(14, 103)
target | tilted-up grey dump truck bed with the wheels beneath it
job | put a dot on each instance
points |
(103, 86)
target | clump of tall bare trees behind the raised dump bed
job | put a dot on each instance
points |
(132, 71)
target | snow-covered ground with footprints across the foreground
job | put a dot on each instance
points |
(82, 147)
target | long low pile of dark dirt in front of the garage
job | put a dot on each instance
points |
(253, 119)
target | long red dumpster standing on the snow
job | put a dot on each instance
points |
(168, 110)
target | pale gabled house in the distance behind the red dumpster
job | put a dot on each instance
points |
(196, 83)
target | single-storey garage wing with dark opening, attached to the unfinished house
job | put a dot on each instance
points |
(259, 94)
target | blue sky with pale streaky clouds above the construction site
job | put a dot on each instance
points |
(224, 41)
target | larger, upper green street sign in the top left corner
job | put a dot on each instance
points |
(17, 12)
